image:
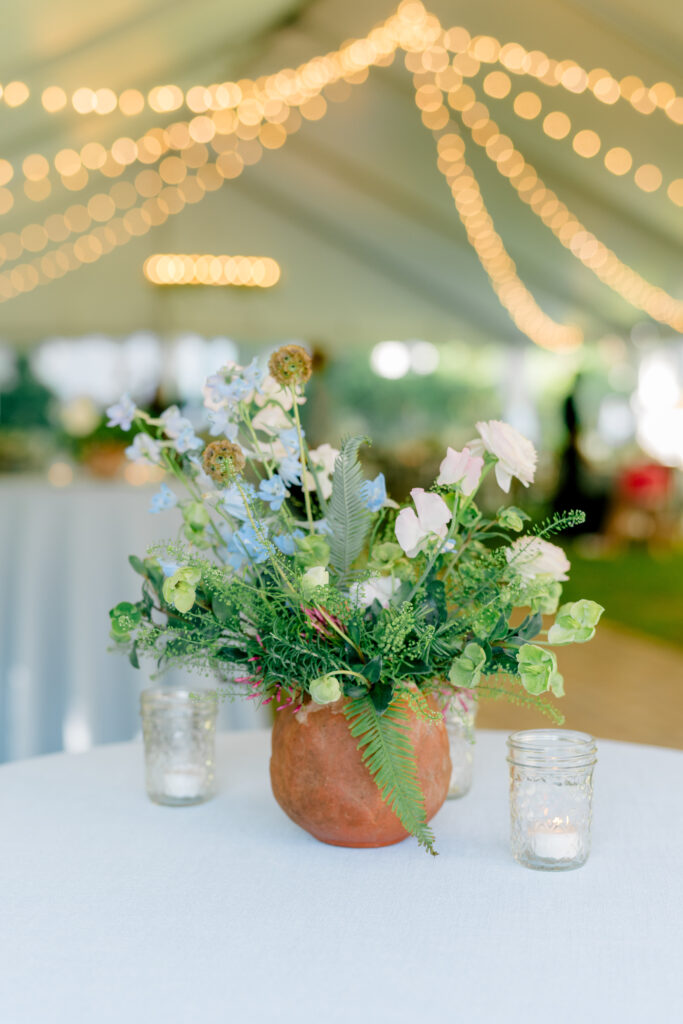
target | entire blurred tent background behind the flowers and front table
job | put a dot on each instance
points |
(486, 224)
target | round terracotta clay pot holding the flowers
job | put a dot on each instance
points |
(320, 781)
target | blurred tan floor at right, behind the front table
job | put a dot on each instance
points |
(619, 687)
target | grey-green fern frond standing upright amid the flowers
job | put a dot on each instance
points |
(349, 518)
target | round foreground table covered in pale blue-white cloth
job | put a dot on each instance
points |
(115, 910)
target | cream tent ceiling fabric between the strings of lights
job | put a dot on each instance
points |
(353, 206)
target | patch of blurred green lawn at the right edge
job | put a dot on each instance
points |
(638, 589)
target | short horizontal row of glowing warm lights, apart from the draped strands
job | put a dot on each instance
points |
(243, 272)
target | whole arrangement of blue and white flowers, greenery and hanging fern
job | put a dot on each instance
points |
(300, 583)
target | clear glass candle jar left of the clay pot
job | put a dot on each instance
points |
(180, 732)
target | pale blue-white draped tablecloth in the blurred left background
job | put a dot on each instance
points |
(64, 564)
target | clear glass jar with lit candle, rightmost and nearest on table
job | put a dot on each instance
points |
(551, 795)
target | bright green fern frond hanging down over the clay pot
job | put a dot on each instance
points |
(388, 751)
